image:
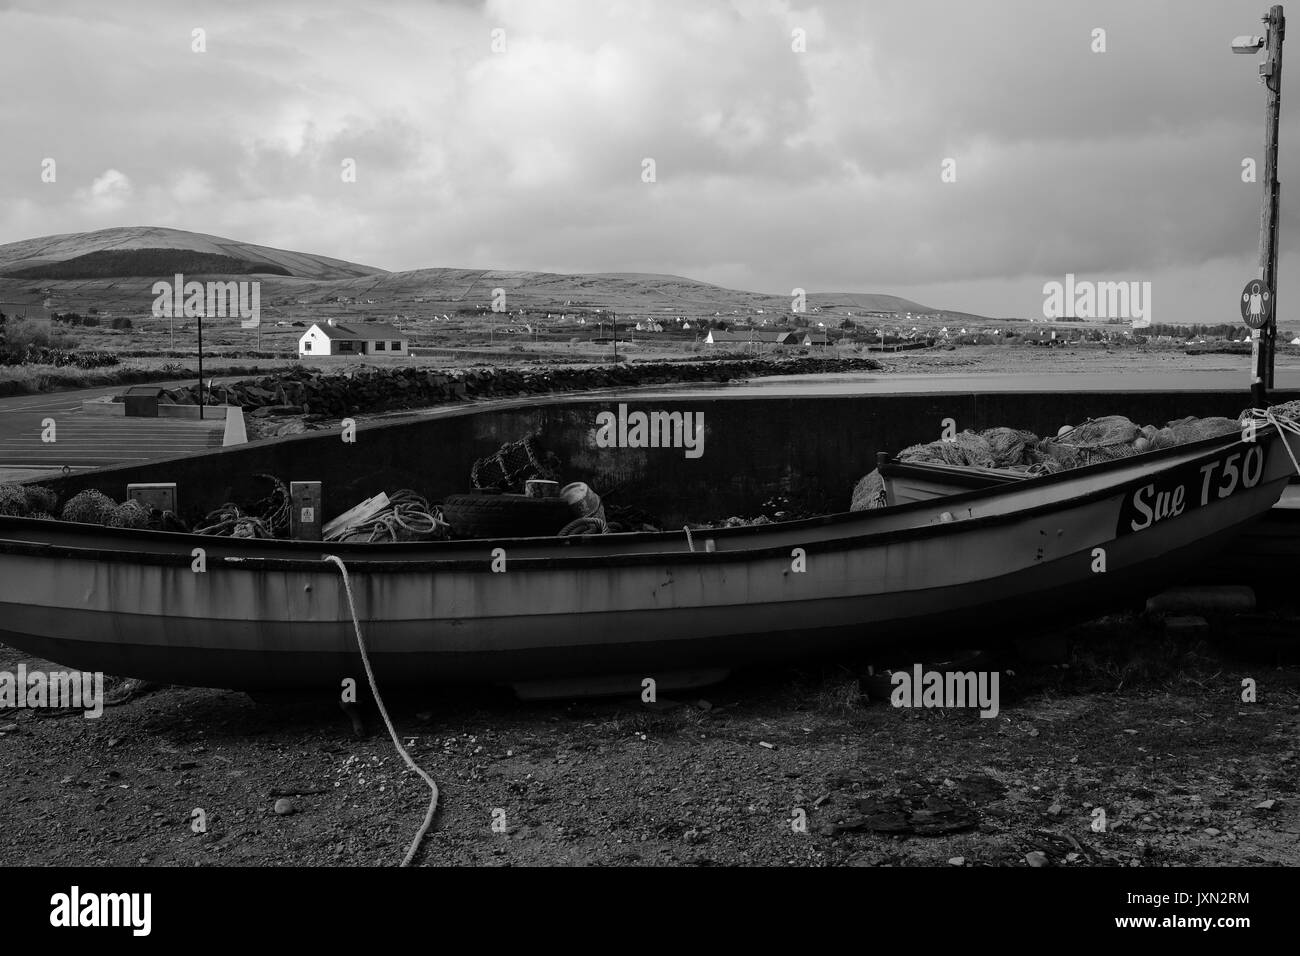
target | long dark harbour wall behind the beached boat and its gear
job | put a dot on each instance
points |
(809, 451)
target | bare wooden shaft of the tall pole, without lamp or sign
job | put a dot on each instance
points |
(1271, 71)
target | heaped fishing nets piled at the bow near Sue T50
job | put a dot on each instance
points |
(1097, 440)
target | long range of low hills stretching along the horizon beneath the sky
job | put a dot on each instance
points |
(85, 270)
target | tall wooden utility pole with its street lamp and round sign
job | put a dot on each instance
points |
(1271, 75)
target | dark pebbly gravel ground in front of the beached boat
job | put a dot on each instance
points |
(779, 768)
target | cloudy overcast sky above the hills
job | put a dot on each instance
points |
(774, 168)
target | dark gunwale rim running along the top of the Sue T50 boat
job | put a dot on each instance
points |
(356, 555)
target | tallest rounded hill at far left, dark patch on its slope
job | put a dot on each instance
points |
(79, 250)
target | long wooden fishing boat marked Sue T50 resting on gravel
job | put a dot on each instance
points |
(987, 561)
